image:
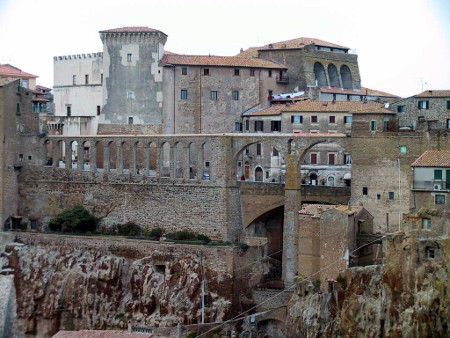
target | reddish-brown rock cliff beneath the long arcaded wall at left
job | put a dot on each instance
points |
(74, 283)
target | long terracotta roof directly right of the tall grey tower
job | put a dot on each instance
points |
(221, 61)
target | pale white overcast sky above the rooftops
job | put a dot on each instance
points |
(398, 42)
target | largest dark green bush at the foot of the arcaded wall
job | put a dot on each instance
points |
(77, 219)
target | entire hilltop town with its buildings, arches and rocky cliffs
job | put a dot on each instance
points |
(165, 194)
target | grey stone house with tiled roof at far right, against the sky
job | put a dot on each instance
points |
(430, 105)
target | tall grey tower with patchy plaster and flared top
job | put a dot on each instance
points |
(132, 80)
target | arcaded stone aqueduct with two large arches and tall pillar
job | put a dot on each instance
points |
(162, 181)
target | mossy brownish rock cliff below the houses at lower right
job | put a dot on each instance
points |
(407, 297)
